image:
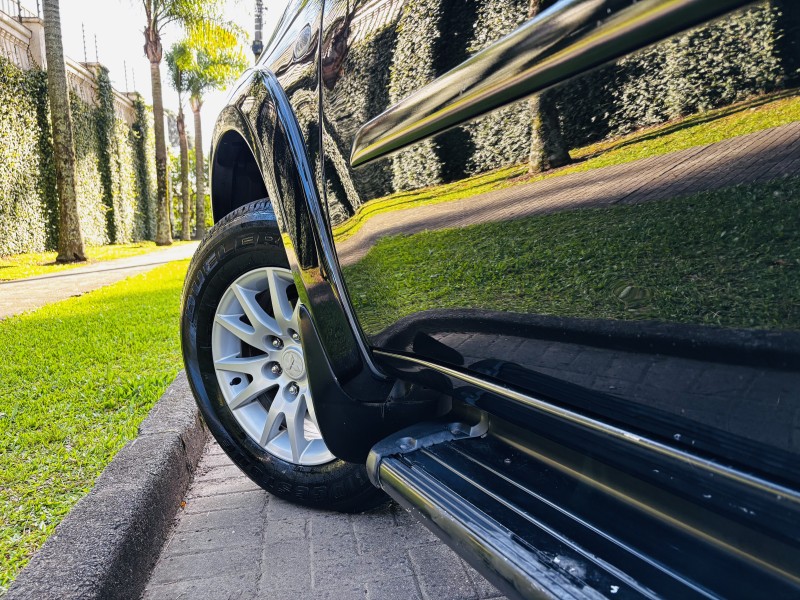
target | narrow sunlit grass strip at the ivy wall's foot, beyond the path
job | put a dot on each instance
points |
(33, 264)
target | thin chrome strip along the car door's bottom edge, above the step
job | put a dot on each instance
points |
(598, 426)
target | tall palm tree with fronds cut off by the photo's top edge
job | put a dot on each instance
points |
(192, 15)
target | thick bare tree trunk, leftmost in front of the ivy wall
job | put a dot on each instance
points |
(70, 238)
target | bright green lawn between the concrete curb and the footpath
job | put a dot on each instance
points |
(76, 380)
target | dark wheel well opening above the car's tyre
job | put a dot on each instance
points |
(235, 177)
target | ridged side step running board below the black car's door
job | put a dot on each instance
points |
(537, 531)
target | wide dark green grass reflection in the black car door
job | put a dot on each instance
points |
(728, 257)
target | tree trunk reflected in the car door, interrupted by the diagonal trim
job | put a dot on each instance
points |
(548, 150)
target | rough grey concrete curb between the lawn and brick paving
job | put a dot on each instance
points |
(108, 544)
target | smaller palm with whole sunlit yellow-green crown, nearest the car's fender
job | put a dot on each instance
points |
(215, 62)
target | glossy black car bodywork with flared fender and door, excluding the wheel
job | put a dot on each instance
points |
(631, 323)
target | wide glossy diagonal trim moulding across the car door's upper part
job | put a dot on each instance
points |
(569, 38)
